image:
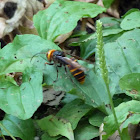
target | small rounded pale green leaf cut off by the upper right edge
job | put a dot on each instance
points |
(131, 21)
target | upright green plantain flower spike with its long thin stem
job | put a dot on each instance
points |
(103, 69)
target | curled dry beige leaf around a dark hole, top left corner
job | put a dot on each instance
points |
(22, 16)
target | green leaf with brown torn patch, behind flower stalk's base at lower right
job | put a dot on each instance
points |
(127, 113)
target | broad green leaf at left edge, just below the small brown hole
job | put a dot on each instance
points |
(22, 101)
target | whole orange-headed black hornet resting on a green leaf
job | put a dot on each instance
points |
(58, 57)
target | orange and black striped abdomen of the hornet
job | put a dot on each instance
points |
(78, 73)
